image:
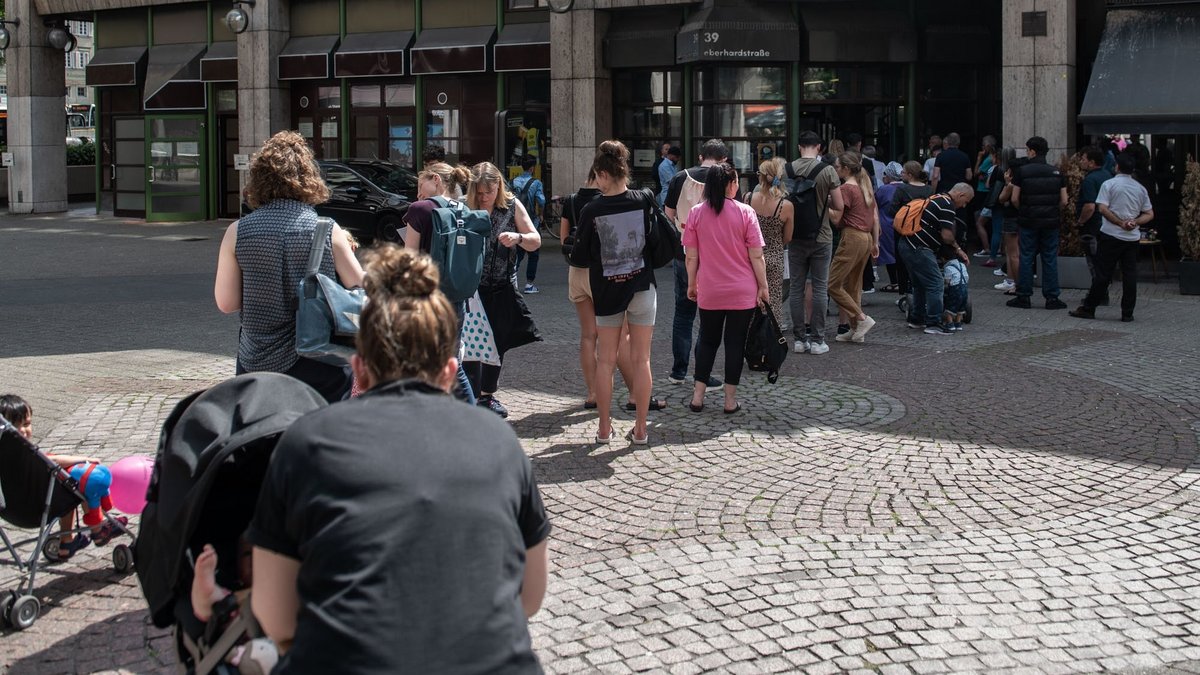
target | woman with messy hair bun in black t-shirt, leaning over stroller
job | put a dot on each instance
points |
(401, 530)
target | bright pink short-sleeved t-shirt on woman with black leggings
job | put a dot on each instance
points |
(725, 279)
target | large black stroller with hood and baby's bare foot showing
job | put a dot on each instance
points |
(217, 444)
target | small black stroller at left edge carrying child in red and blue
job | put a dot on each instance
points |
(35, 493)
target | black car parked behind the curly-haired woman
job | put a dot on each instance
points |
(369, 198)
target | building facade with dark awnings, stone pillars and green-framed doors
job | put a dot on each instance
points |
(181, 95)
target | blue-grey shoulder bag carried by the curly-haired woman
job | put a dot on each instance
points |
(327, 313)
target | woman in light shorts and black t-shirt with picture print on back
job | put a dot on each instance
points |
(611, 243)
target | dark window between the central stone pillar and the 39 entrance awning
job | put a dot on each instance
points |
(649, 114)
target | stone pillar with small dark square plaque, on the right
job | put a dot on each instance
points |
(1040, 76)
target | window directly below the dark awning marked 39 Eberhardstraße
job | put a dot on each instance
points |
(747, 109)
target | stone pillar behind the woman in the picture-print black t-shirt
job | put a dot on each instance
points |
(580, 92)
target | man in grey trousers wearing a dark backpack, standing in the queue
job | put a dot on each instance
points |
(809, 254)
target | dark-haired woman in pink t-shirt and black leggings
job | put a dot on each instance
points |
(727, 278)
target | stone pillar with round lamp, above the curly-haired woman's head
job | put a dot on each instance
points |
(263, 104)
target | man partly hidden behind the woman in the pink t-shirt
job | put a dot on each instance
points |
(686, 192)
